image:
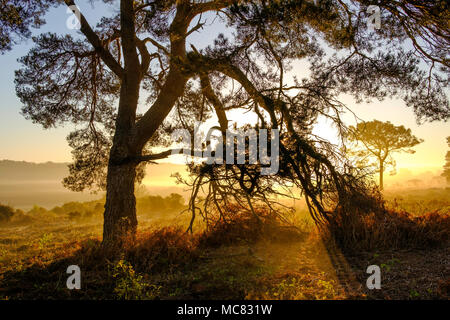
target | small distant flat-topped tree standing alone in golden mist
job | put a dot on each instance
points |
(376, 139)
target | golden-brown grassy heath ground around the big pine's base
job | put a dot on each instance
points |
(36, 247)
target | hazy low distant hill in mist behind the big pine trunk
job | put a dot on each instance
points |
(25, 184)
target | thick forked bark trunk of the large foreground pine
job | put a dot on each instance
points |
(129, 140)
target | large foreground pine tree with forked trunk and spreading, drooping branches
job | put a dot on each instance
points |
(142, 55)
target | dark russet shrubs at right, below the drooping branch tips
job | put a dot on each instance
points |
(367, 225)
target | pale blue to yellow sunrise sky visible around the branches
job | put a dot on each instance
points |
(23, 140)
